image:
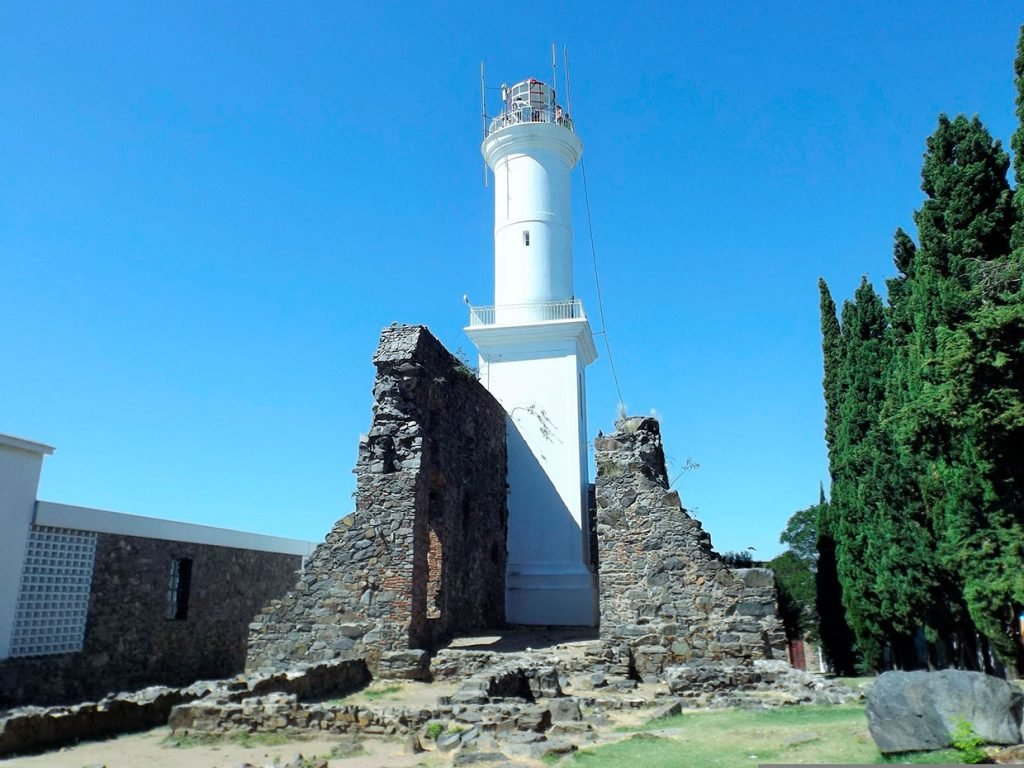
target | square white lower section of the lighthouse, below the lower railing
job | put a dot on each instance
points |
(537, 372)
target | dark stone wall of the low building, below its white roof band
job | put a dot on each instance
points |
(130, 643)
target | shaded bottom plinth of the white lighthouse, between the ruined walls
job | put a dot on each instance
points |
(551, 595)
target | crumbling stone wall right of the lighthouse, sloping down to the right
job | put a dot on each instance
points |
(666, 596)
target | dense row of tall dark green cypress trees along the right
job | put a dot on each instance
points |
(925, 410)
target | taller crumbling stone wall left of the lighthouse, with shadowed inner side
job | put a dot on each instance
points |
(423, 556)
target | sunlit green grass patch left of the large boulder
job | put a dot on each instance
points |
(731, 739)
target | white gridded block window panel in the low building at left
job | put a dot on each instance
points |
(55, 596)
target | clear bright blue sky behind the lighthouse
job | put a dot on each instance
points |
(208, 211)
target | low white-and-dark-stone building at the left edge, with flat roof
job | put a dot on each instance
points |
(95, 602)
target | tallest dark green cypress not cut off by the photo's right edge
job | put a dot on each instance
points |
(964, 227)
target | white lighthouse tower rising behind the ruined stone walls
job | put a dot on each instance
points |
(535, 345)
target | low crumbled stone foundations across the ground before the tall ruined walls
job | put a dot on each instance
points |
(526, 704)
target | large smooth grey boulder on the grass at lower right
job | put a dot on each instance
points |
(919, 711)
